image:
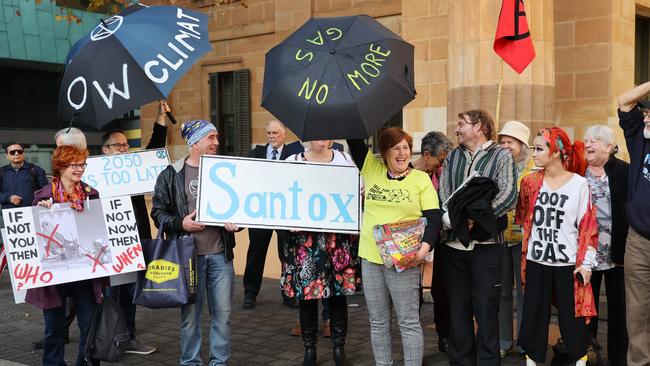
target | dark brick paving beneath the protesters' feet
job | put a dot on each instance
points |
(259, 336)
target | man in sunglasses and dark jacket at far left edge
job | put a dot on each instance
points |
(19, 179)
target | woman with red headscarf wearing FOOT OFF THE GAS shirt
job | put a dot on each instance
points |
(559, 251)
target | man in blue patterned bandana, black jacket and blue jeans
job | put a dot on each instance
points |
(174, 210)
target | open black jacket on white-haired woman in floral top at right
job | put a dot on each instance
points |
(617, 174)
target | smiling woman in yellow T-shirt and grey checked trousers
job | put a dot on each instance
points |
(394, 192)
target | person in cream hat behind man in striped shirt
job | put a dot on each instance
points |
(513, 137)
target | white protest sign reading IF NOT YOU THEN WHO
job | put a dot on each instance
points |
(59, 245)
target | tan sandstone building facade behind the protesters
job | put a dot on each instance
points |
(585, 57)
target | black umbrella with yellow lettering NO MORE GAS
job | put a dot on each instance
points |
(340, 77)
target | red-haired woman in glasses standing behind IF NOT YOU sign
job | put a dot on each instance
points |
(68, 165)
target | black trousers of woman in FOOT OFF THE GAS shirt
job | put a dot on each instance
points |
(541, 282)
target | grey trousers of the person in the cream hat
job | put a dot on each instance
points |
(510, 275)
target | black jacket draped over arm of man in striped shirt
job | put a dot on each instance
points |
(474, 201)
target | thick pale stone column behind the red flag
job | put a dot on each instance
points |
(473, 71)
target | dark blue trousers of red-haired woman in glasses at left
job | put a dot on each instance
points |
(83, 296)
